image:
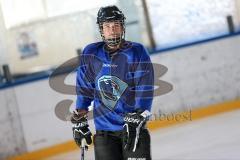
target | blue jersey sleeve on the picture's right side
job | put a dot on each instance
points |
(145, 82)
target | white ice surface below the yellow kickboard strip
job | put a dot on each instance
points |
(211, 138)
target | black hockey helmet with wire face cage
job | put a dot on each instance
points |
(111, 14)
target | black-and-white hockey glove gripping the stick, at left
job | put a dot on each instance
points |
(80, 129)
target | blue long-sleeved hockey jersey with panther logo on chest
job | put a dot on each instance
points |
(118, 83)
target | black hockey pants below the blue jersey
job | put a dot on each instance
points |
(109, 145)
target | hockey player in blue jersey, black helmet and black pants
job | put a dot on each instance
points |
(118, 76)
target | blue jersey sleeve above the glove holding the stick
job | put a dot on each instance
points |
(84, 84)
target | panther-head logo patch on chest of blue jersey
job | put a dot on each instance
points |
(111, 88)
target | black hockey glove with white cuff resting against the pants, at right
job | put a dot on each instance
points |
(134, 123)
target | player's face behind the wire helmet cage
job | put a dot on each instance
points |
(112, 29)
